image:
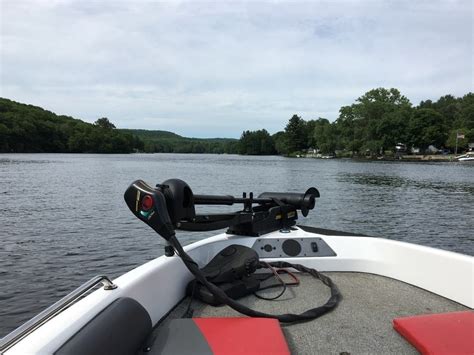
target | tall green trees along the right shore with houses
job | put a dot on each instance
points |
(374, 124)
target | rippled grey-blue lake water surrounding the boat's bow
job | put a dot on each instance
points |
(63, 218)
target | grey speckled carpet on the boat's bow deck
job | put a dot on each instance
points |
(362, 323)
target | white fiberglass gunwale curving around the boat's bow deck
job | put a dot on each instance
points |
(160, 284)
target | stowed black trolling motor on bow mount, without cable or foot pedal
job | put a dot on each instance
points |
(171, 205)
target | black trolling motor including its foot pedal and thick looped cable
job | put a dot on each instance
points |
(171, 205)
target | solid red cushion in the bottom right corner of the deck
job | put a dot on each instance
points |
(445, 333)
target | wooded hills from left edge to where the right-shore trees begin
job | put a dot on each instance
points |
(31, 129)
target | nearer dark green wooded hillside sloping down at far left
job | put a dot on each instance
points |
(27, 128)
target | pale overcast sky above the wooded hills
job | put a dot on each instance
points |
(217, 68)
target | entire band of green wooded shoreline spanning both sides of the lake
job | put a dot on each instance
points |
(373, 125)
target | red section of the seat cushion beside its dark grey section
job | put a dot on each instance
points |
(243, 335)
